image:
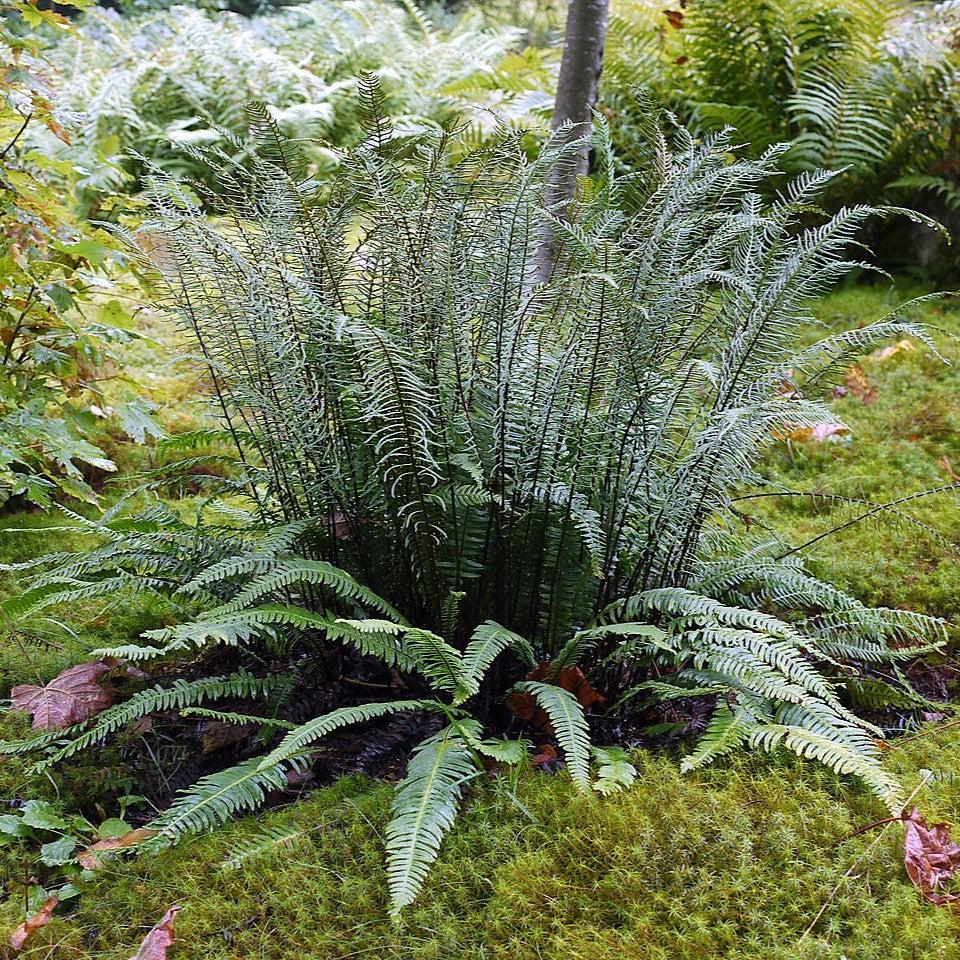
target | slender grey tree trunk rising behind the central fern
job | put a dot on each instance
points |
(577, 89)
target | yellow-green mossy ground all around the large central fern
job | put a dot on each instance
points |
(735, 862)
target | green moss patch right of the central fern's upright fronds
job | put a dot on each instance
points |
(906, 441)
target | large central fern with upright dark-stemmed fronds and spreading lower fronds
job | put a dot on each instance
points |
(462, 462)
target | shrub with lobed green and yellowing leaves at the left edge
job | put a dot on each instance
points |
(56, 344)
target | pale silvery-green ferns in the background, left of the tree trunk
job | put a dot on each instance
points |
(157, 86)
